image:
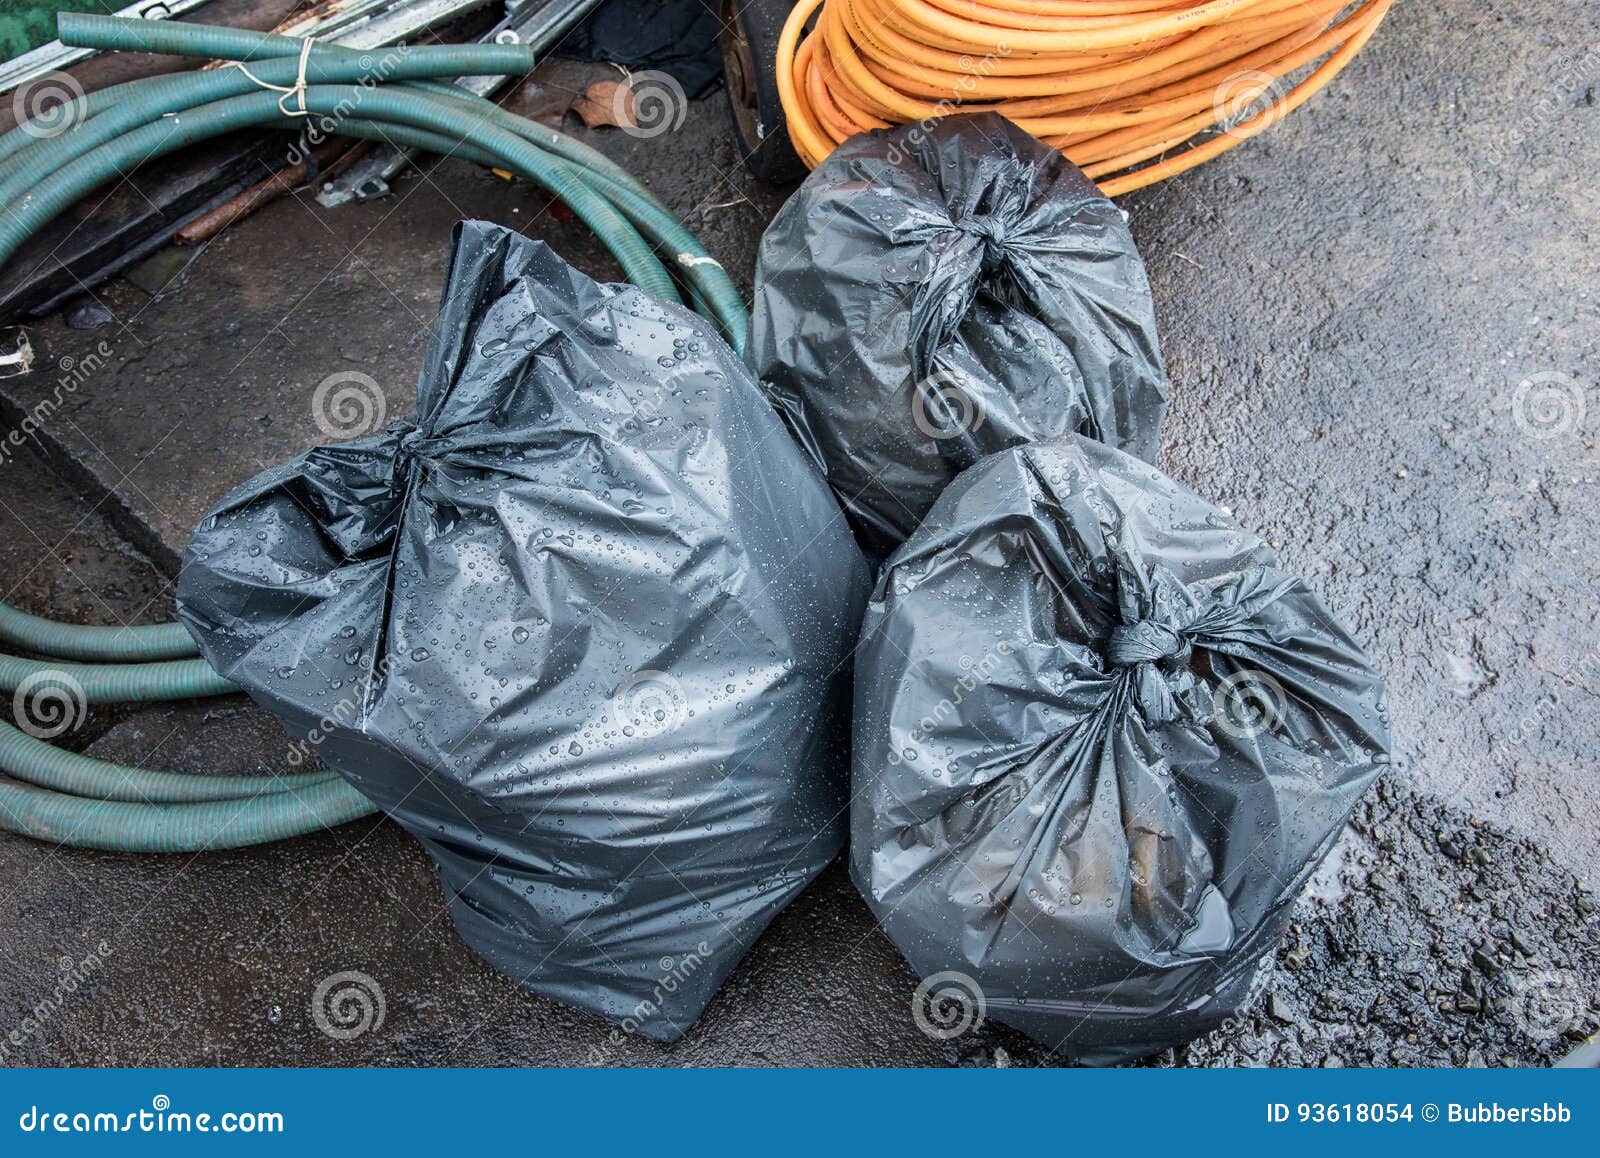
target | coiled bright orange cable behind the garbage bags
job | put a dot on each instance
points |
(1113, 84)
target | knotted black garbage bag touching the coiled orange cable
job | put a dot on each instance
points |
(937, 293)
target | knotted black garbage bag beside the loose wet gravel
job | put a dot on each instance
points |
(1102, 743)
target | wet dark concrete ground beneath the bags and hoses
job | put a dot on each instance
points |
(1382, 329)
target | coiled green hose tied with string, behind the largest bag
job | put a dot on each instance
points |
(390, 95)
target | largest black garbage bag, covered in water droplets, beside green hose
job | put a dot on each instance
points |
(578, 625)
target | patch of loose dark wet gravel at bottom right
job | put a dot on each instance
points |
(1428, 938)
